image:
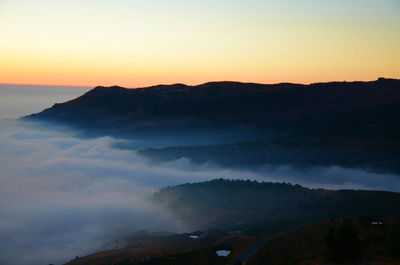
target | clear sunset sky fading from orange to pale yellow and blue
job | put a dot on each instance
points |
(145, 42)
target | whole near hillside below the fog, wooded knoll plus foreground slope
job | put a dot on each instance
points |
(290, 220)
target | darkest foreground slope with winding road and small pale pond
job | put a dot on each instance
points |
(305, 245)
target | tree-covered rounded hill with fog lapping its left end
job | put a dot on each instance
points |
(242, 204)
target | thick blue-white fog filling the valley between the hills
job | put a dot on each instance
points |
(62, 196)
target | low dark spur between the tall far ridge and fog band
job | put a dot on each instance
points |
(298, 152)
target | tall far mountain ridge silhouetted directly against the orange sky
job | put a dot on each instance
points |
(371, 108)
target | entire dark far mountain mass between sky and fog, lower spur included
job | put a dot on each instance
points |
(350, 124)
